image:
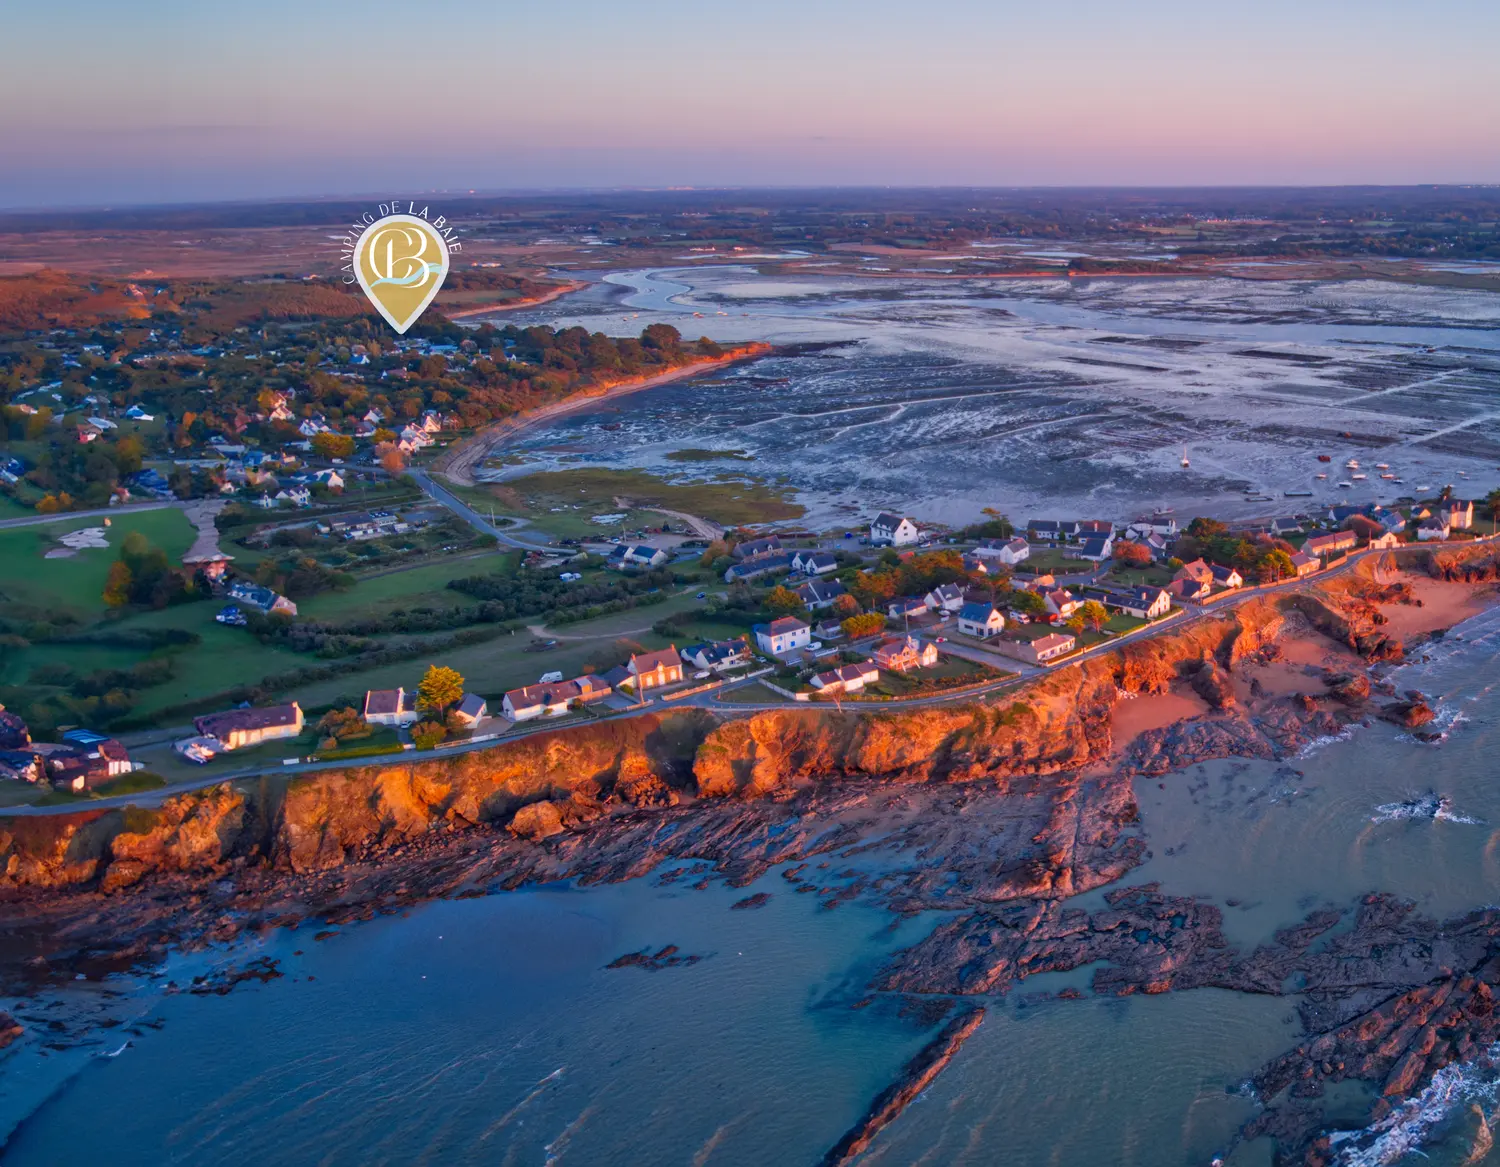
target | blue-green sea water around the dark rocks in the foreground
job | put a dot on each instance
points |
(491, 1031)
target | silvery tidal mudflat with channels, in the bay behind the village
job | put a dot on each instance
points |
(1054, 397)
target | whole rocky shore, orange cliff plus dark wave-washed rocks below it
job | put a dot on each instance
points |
(997, 814)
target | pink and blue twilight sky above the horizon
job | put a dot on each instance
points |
(167, 101)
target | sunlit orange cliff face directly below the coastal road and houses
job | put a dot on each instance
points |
(562, 784)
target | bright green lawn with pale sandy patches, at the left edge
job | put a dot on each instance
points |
(77, 583)
